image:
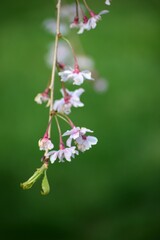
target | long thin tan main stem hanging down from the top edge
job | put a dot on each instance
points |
(51, 87)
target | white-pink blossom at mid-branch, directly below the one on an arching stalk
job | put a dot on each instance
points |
(69, 99)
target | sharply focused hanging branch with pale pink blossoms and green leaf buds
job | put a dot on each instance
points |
(75, 139)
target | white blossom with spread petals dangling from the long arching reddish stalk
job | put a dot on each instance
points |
(77, 76)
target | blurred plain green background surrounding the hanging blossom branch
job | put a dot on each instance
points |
(112, 191)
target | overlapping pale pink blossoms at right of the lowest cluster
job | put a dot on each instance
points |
(78, 134)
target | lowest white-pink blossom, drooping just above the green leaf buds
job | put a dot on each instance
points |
(66, 153)
